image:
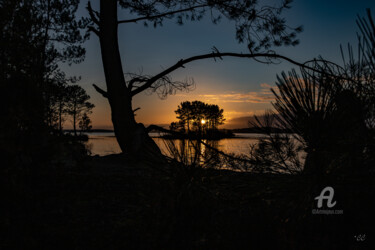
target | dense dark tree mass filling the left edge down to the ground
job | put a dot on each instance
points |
(37, 36)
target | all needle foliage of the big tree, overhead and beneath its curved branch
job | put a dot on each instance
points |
(258, 25)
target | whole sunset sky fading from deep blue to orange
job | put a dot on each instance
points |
(239, 86)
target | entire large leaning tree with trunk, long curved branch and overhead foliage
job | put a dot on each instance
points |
(261, 26)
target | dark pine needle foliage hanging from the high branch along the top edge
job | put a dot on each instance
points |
(261, 26)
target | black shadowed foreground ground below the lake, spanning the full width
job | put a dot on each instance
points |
(115, 202)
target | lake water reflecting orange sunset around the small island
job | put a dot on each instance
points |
(105, 143)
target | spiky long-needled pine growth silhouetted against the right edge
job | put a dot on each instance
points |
(330, 109)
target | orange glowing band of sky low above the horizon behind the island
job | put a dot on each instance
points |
(236, 104)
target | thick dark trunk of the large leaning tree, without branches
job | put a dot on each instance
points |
(131, 137)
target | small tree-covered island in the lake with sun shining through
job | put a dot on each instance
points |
(198, 120)
